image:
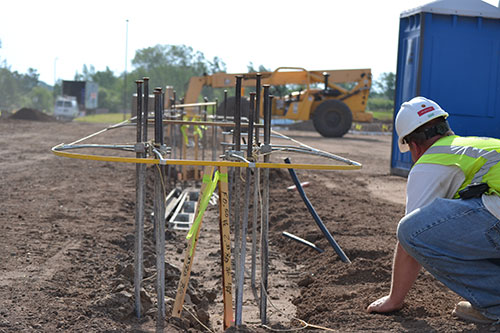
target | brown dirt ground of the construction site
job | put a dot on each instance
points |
(67, 237)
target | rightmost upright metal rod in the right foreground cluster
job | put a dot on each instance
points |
(264, 248)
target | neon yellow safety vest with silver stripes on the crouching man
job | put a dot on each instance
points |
(477, 157)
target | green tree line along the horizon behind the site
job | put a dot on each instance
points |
(165, 65)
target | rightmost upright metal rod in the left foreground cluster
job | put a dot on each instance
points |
(159, 217)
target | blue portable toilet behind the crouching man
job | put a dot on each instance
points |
(449, 51)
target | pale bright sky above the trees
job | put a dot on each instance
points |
(58, 37)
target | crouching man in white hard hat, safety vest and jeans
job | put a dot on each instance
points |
(452, 221)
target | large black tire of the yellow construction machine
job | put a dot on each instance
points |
(332, 118)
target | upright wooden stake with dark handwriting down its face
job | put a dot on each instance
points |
(225, 242)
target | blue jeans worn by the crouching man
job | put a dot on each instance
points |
(458, 242)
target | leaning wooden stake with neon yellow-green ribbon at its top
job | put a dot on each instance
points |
(190, 250)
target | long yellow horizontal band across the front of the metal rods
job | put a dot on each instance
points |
(204, 163)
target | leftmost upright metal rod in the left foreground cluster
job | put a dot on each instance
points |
(139, 209)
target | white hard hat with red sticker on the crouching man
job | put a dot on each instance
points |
(413, 114)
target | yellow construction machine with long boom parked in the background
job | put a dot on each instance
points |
(331, 106)
